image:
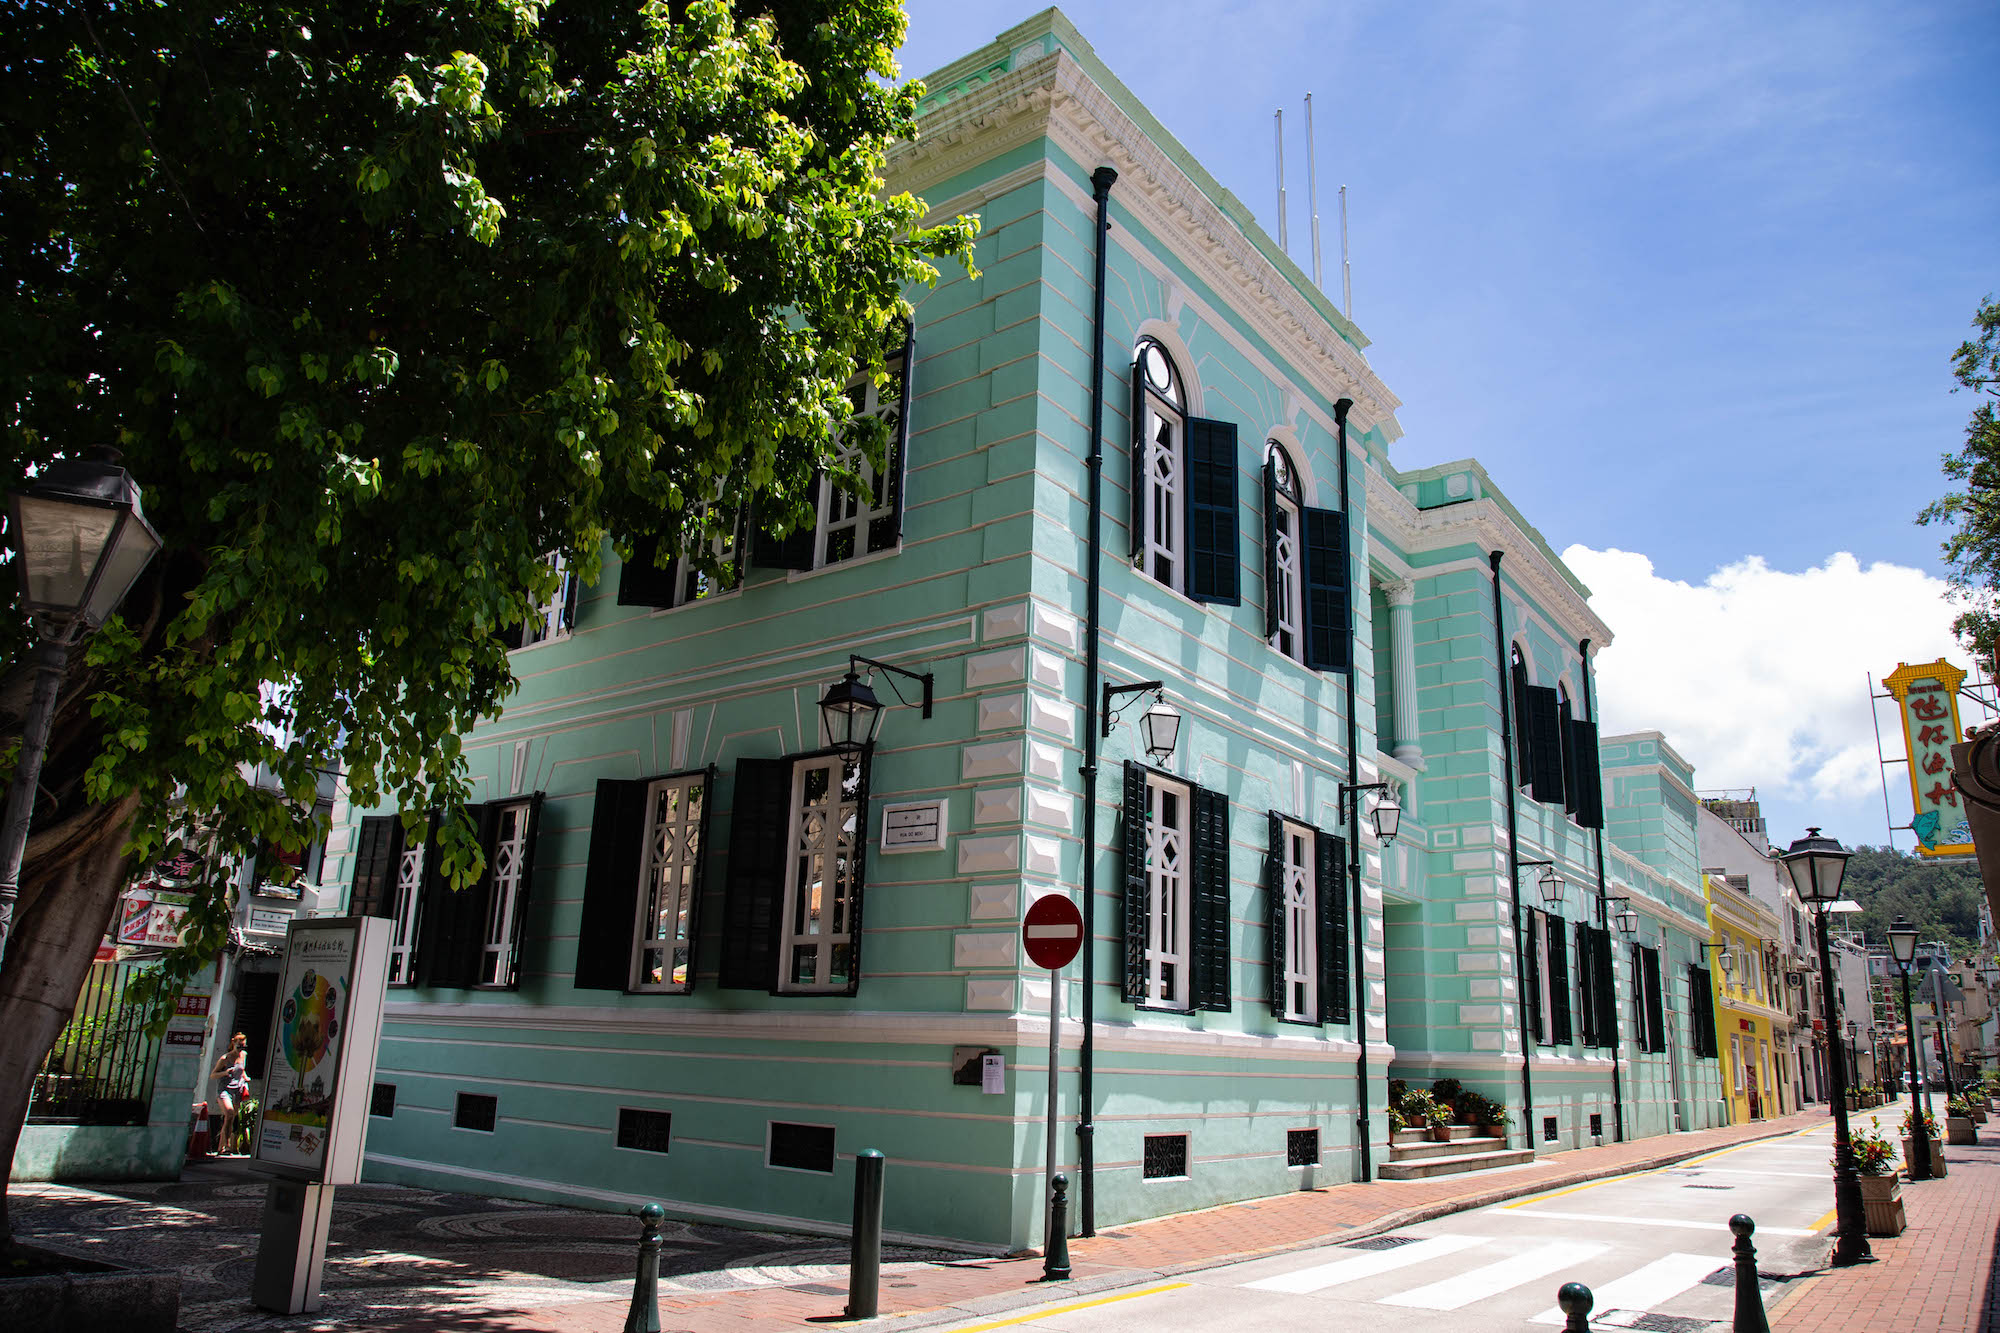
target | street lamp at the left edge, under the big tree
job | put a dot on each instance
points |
(81, 541)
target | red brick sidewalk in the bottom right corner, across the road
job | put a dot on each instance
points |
(1937, 1276)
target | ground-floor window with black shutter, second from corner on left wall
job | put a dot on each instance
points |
(643, 886)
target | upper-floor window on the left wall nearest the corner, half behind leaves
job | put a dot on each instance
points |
(869, 519)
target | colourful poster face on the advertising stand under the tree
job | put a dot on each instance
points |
(315, 996)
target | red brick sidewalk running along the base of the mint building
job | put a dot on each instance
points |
(1123, 1256)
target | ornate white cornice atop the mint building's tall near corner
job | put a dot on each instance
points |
(1055, 97)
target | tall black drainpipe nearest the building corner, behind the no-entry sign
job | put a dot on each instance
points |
(1087, 1216)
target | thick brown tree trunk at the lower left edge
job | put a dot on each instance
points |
(71, 886)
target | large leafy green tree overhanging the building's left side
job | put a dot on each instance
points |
(385, 301)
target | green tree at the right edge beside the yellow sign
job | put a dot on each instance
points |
(1973, 511)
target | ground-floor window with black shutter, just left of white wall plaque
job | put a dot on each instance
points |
(793, 914)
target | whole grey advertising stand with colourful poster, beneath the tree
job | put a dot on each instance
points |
(315, 1124)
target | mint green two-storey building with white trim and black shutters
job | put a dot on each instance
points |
(715, 958)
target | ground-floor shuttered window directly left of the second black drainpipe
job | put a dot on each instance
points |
(1309, 924)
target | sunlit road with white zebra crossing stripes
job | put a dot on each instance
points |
(1655, 1250)
